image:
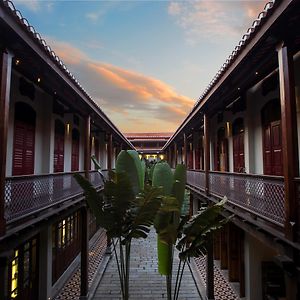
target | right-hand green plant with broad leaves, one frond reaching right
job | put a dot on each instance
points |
(174, 228)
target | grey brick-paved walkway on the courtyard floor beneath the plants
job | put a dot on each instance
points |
(145, 281)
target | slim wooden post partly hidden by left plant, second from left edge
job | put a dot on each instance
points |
(84, 262)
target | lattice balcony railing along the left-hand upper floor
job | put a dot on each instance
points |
(26, 195)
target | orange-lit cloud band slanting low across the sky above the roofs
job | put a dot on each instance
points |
(125, 94)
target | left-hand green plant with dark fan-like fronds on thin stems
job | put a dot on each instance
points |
(126, 208)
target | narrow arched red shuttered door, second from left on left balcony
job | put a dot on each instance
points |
(59, 146)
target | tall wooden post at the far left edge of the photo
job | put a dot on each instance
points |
(5, 78)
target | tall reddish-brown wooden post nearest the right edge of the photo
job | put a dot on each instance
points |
(289, 137)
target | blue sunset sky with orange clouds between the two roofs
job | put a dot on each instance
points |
(144, 62)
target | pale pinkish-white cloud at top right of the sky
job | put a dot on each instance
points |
(214, 20)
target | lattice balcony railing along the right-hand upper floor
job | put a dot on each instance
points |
(260, 195)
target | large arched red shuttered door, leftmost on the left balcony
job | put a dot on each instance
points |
(24, 140)
